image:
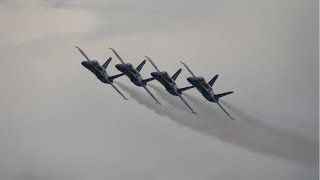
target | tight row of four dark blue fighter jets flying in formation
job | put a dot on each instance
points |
(162, 77)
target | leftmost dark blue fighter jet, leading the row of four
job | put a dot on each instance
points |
(100, 71)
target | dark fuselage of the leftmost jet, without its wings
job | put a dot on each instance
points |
(97, 70)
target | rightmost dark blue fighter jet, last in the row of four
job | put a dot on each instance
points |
(205, 88)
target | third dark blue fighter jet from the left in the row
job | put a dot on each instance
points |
(169, 82)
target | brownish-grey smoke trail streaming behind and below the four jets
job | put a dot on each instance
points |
(246, 131)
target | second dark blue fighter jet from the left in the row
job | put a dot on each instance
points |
(133, 74)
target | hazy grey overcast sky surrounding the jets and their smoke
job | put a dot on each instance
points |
(58, 121)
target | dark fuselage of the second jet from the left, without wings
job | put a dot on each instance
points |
(131, 73)
